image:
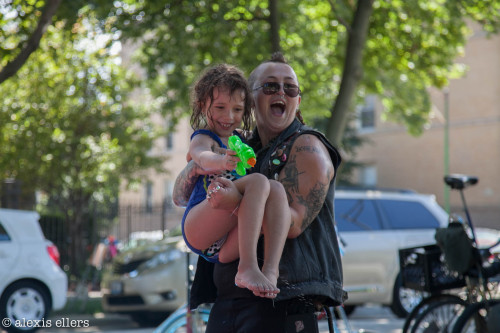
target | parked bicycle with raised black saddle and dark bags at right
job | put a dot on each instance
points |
(441, 312)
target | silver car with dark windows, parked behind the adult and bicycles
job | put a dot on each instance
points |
(374, 225)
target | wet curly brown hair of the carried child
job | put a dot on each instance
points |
(220, 76)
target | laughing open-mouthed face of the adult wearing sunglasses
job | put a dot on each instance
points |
(274, 112)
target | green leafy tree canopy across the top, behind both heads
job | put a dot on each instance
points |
(341, 50)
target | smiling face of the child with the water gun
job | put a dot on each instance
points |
(226, 111)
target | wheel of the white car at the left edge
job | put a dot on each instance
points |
(24, 302)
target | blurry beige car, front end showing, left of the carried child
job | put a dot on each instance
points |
(148, 282)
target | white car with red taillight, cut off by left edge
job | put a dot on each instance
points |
(31, 281)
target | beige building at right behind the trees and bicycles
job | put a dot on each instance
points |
(396, 159)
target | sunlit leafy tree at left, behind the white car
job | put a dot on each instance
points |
(66, 128)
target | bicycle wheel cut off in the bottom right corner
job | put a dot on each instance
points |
(475, 318)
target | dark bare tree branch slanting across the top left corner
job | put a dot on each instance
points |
(32, 43)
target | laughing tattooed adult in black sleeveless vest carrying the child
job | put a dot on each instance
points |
(302, 159)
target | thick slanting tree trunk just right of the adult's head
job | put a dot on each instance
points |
(352, 72)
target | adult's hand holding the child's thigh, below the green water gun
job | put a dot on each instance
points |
(223, 194)
